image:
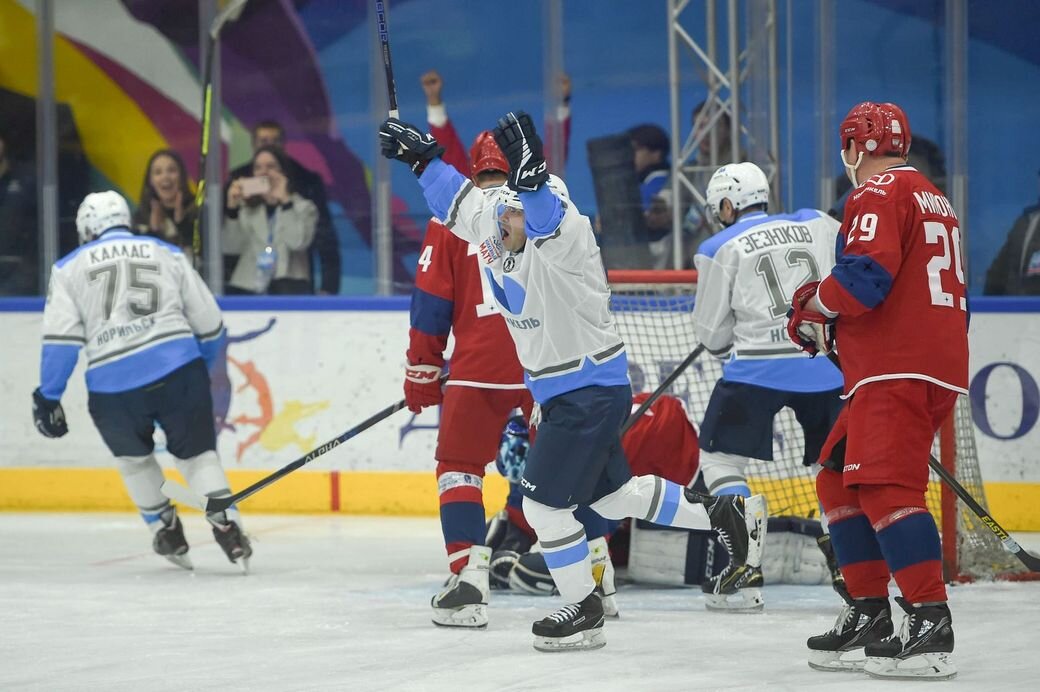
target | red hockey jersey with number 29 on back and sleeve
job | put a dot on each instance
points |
(898, 287)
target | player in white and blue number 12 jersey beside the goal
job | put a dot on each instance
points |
(747, 274)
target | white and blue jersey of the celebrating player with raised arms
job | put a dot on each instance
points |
(554, 294)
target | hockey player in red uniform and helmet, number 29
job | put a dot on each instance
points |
(899, 276)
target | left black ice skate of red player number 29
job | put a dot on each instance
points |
(862, 623)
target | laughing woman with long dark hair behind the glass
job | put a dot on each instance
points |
(166, 208)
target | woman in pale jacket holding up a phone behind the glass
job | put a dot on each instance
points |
(271, 227)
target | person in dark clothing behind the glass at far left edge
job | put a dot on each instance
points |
(19, 266)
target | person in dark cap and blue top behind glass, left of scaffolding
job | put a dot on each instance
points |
(652, 146)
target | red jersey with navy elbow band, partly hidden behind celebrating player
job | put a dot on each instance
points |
(451, 295)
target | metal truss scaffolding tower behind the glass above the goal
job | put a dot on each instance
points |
(740, 119)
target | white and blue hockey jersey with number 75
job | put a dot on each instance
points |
(135, 305)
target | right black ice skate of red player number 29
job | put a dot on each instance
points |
(922, 650)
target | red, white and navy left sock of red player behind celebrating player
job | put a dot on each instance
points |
(462, 512)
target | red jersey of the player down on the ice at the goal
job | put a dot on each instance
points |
(663, 442)
